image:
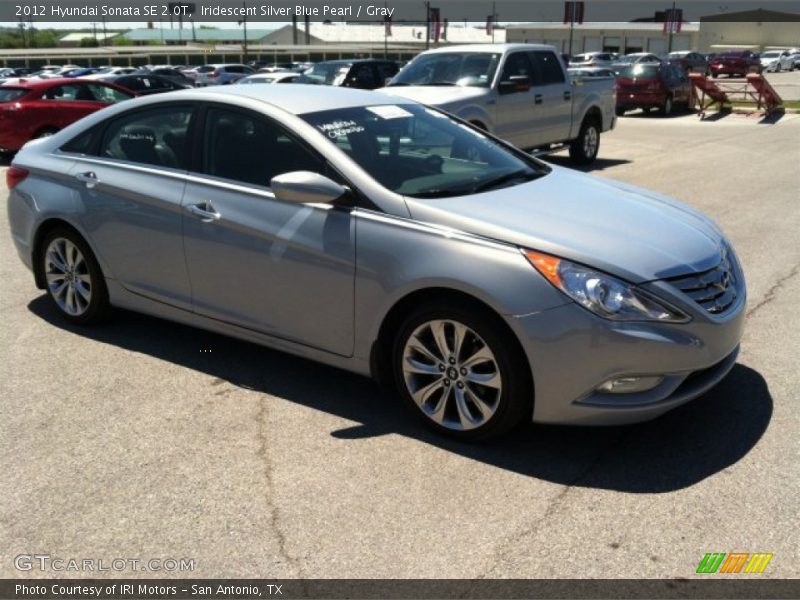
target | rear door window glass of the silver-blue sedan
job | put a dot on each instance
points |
(153, 137)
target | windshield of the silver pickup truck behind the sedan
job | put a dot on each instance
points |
(475, 69)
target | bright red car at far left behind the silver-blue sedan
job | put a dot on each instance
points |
(40, 107)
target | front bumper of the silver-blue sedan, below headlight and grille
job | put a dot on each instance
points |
(571, 352)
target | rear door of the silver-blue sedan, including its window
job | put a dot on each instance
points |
(130, 181)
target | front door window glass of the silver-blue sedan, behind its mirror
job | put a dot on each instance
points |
(251, 149)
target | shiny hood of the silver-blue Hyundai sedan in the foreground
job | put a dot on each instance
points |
(626, 231)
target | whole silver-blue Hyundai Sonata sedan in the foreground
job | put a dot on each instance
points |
(382, 236)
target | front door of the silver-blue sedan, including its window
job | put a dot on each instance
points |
(284, 269)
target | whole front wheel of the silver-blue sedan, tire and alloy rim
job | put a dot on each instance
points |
(454, 371)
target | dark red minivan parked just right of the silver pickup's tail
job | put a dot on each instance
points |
(648, 86)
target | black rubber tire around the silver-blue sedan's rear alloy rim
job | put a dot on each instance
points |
(98, 307)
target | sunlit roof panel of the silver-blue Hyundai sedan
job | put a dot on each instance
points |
(296, 99)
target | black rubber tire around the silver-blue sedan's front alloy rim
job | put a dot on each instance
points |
(512, 405)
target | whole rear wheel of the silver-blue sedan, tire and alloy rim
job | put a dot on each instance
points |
(74, 281)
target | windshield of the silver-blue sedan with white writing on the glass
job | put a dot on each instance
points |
(417, 151)
